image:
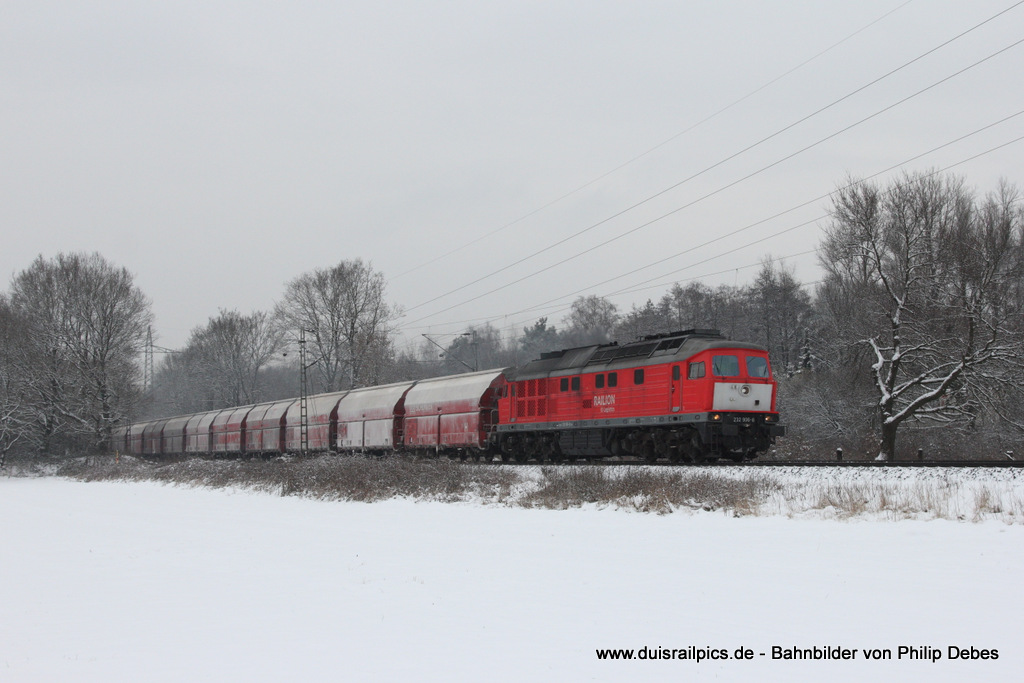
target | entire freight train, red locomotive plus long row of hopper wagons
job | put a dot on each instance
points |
(682, 397)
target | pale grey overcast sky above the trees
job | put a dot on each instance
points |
(220, 149)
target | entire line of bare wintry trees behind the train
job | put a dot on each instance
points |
(917, 328)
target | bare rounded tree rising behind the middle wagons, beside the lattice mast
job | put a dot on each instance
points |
(348, 320)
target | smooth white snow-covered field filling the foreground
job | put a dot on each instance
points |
(142, 582)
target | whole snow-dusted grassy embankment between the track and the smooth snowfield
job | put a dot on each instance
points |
(629, 488)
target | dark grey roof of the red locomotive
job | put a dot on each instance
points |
(648, 351)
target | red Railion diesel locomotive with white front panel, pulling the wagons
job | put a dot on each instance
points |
(690, 396)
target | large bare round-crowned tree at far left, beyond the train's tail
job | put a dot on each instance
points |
(86, 325)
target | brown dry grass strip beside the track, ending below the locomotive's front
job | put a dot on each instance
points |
(369, 480)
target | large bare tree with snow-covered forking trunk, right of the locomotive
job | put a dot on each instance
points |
(927, 280)
